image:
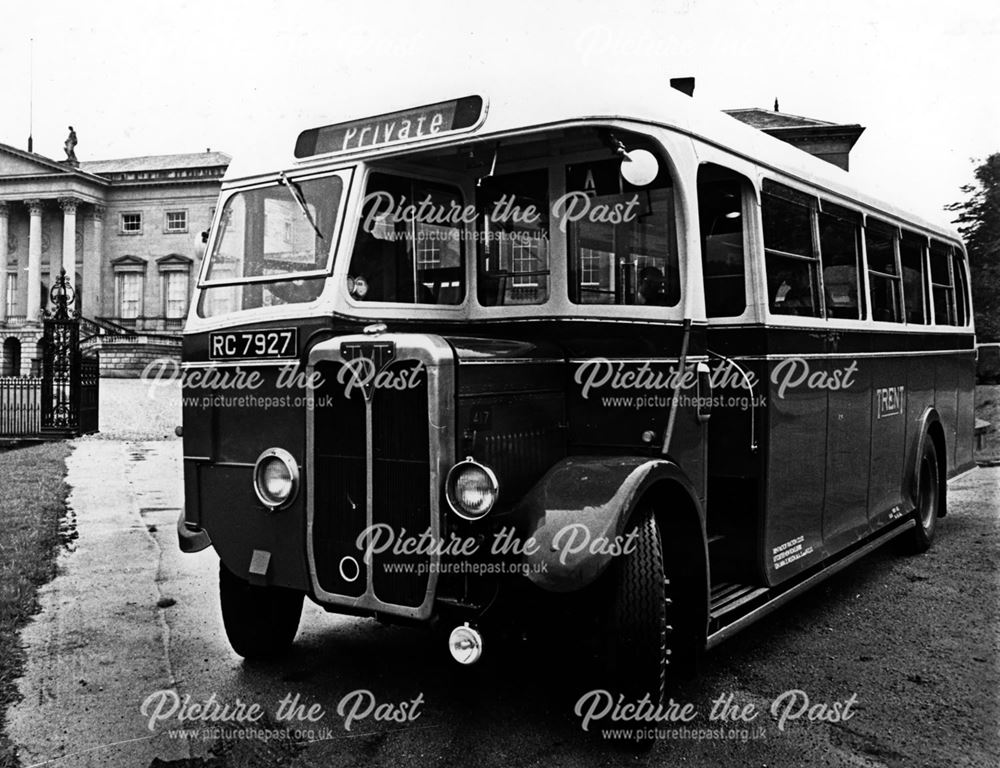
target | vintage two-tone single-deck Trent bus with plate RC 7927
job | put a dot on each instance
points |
(608, 350)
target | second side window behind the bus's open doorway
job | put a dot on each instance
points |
(839, 238)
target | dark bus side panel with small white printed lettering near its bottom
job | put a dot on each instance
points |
(796, 476)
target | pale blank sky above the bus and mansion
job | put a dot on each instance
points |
(137, 78)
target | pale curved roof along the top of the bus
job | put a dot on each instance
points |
(629, 100)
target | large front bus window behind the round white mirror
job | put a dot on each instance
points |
(622, 243)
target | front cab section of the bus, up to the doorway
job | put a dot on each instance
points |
(392, 377)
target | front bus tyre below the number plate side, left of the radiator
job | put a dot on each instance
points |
(260, 622)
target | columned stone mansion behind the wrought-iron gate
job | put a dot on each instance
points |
(129, 235)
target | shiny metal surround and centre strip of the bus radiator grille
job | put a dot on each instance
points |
(438, 359)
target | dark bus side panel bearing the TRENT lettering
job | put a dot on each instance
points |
(890, 391)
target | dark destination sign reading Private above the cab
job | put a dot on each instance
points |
(391, 128)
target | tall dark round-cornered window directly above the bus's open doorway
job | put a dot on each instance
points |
(720, 213)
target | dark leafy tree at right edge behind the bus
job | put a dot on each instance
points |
(979, 222)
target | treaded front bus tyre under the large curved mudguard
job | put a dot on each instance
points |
(639, 631)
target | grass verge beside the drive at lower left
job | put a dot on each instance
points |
(32, 502)
